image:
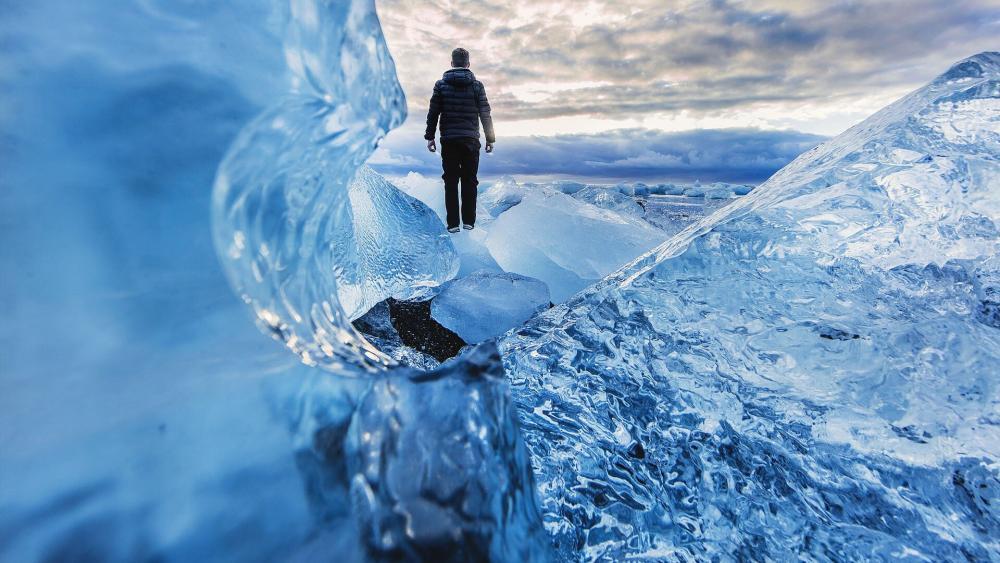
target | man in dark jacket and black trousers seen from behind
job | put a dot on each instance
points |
(460, 101)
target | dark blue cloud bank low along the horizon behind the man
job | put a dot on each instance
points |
(732, 155)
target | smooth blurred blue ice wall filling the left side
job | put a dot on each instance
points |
(144, 417)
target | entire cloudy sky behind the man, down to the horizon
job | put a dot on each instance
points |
(660, 90)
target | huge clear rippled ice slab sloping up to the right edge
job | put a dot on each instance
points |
(808, 373)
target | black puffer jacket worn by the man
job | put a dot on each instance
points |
(460, 101)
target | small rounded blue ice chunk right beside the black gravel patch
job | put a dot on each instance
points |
(487, 304)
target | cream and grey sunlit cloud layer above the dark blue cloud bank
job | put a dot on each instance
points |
(615, 60)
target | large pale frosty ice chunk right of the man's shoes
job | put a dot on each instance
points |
(566, 243)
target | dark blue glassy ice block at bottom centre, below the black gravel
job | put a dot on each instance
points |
(437, 468)
